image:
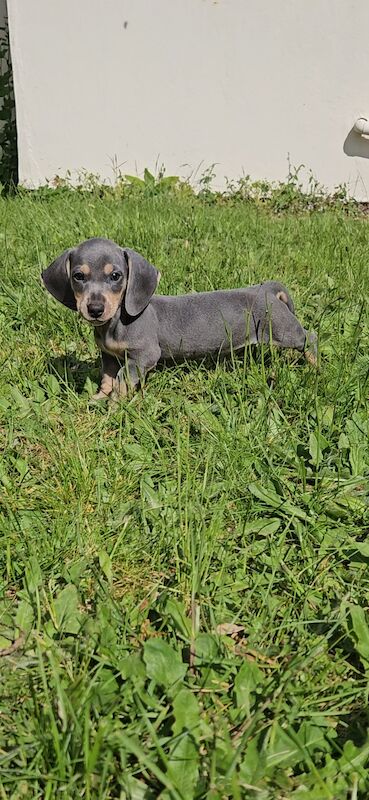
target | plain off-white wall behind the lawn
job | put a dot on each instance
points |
(245, 84)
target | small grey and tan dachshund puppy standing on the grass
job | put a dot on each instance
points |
(113, 289)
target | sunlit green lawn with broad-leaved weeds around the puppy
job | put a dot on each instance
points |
(187, 572)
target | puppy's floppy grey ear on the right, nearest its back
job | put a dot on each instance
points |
(143, 279)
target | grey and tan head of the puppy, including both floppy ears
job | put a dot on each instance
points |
(97, 276)
